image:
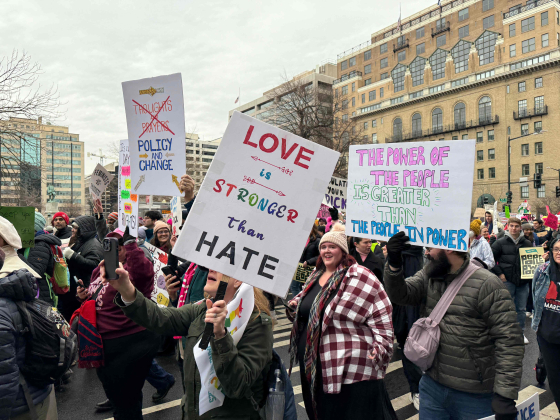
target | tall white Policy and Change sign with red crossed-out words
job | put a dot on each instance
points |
(155, 118)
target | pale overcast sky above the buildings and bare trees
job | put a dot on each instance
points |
(87, 48)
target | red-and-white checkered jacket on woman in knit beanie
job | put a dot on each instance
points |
(356, 322)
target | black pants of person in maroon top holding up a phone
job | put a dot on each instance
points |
(127, 362)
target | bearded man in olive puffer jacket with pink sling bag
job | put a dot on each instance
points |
(477, 368)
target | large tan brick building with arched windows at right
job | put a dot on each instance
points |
(478, 69)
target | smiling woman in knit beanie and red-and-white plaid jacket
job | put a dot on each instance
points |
(342, 337)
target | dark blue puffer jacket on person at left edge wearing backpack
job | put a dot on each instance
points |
(19, 285)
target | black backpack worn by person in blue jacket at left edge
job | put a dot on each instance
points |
(50, 345)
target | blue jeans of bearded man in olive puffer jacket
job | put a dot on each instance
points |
(438, 402)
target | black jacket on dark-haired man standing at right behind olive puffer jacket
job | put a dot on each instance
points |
(508, 261)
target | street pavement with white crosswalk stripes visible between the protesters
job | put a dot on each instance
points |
(85, 390)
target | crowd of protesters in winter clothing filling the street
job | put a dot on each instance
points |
(360, 298)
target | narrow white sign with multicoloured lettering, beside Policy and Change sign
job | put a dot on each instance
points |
(128, 202)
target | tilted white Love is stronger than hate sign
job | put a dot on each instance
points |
(257, 204)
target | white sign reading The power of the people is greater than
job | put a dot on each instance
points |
(421, 188)
